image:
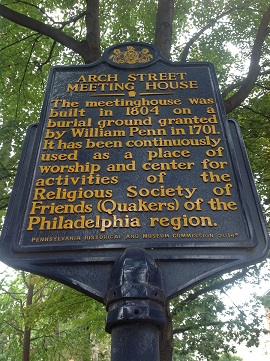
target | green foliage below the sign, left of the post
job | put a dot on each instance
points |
(64, 324)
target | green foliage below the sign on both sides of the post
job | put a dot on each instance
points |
(66, 324)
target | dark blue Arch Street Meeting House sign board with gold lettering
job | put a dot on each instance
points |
(133, 152)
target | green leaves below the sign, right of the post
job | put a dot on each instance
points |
(209, 320)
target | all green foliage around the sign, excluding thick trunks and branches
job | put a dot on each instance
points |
(63, 322)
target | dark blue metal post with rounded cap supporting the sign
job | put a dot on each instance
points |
(136, 306)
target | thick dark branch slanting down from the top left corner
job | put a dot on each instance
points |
(44, 29)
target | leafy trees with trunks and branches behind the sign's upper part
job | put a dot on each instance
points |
(234, 35)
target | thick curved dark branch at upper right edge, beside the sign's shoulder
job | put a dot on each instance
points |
(254, 69)
